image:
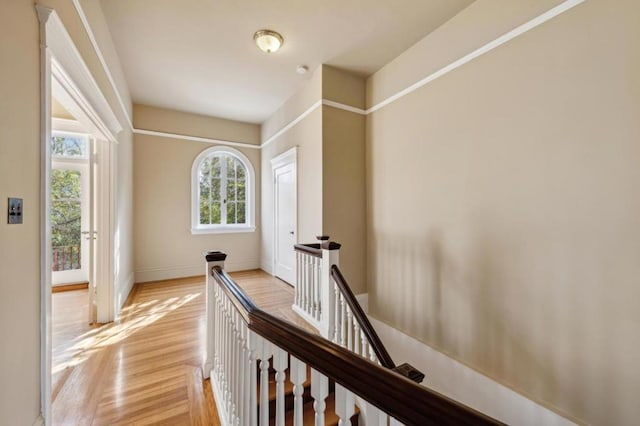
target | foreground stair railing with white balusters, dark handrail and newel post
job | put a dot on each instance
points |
(244, 342)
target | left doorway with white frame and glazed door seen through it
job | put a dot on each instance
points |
(65, 171)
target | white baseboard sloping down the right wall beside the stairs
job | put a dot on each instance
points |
(463, 384)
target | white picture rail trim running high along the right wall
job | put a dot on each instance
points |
(539, 20)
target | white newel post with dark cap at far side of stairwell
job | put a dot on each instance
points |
(330, 256)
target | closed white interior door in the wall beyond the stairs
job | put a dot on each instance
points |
(285, 221)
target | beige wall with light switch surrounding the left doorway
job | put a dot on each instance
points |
(20, 177)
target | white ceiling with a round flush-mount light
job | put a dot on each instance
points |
(198, 55)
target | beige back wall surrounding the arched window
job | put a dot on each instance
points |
(165, 247)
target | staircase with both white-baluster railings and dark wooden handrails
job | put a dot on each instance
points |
(266, 370)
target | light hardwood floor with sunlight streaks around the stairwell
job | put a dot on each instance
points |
(146, 367)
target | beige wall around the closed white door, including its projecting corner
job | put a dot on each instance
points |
(331, 178)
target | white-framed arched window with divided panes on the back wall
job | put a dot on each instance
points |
(222, 192)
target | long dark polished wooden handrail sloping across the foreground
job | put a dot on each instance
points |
(398, 396)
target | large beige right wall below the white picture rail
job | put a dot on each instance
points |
(503, 212)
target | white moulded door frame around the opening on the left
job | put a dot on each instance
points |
(64, 72)
